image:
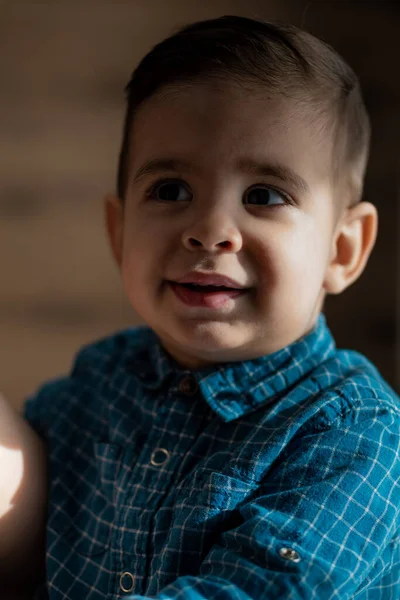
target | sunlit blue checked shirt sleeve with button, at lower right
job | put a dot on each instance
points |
(321, 525)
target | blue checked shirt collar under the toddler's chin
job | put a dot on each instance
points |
(235, 388)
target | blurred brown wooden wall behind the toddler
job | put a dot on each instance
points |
(63, 67)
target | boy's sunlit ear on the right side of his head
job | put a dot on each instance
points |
(352, 245)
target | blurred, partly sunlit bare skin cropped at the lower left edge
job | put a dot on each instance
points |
(23, 501)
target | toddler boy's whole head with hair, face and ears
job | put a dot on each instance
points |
(205, 107)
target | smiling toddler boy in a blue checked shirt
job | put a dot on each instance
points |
(228, 450)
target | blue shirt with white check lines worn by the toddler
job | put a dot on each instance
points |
(274, 478)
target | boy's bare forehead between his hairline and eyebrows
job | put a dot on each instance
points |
(199, 113)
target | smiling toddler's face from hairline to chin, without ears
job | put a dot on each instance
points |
(226, 220)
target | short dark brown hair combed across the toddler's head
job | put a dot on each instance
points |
(281, 57)
